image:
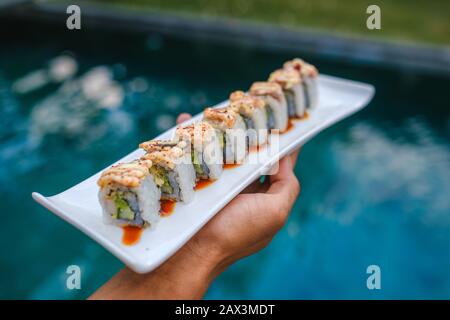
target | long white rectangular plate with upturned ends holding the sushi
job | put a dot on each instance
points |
(338, 98)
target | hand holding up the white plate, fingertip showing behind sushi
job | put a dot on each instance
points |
(250, 221)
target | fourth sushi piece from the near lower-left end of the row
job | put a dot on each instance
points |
(231, 130)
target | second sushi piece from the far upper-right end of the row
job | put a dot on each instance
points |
(291, 83)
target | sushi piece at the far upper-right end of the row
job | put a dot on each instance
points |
(309, 75)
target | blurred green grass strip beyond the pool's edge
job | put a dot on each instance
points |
(418, 20)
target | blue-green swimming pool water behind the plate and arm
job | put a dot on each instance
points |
(374, 187)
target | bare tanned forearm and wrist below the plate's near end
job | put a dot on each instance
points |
(186, 275)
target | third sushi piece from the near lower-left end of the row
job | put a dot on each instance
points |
(206, 149)
